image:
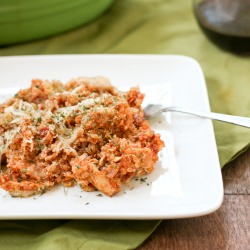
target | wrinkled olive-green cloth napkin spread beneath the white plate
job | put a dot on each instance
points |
(138, 26)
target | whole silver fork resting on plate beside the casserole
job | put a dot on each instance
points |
(154, 110)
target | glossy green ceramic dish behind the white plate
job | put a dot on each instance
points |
(26, 20)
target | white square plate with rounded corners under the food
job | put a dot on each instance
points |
(187, 179)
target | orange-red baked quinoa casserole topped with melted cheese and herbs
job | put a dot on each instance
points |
(85, 132)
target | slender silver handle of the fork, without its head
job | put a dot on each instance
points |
(238, 120)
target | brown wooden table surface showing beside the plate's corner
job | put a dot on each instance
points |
(227, 228)
